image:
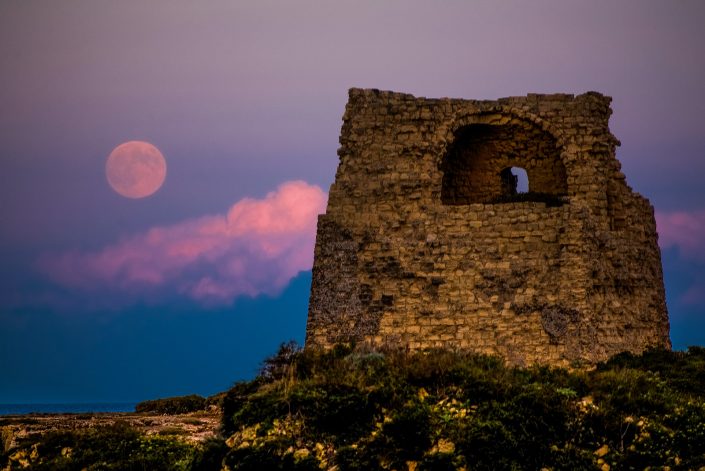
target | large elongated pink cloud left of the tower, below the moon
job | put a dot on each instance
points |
(256, 248)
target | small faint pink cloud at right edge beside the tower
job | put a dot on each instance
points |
(684, 229)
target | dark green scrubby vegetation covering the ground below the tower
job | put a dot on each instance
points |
(435, 410)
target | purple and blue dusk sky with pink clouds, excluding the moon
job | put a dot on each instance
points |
(243, 97)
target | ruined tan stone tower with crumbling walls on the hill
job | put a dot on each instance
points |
(428, 241)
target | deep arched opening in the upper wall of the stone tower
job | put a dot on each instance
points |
(491, 163)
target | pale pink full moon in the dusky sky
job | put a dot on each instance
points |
(135, 169)
